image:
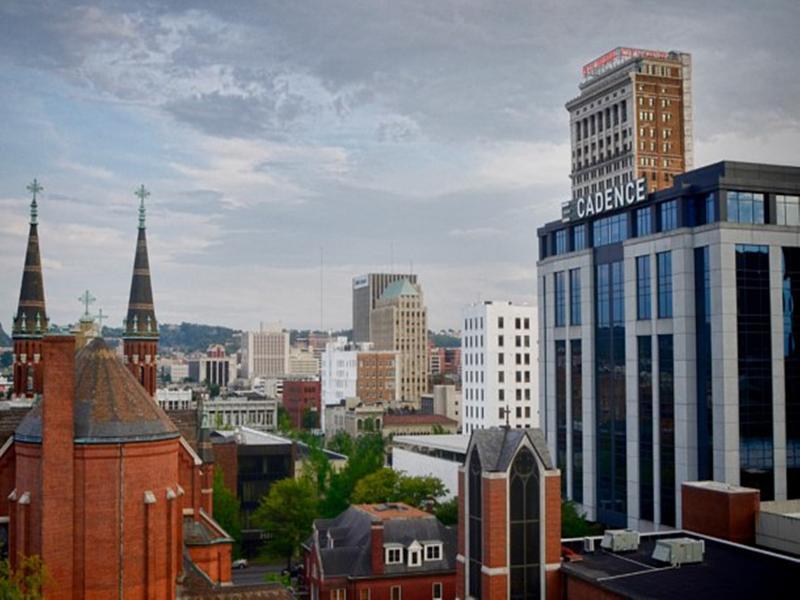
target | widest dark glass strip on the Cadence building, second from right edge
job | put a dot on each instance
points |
(755, 369)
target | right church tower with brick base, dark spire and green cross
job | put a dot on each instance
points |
(140, 340)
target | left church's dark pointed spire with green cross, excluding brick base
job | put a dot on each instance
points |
(31, 318)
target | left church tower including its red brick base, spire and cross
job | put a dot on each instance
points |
(30, 322)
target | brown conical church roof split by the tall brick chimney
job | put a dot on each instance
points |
(110, 404)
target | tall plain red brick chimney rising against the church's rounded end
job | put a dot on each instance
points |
(58, 494)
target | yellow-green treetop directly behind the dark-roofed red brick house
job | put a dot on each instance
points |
(387, 485)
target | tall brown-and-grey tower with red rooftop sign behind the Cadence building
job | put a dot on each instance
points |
(632, 119)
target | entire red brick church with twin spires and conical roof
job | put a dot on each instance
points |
(96, 479)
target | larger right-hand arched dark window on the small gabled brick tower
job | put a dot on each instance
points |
(524, 546)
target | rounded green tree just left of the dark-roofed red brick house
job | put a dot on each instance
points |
(287, 515)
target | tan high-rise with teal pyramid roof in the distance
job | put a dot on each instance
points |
(399, 323)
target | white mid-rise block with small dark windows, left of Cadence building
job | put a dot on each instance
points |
(498, 366)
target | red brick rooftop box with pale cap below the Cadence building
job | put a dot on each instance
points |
(719, 513)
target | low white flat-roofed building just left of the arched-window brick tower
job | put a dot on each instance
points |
(439, 456)
